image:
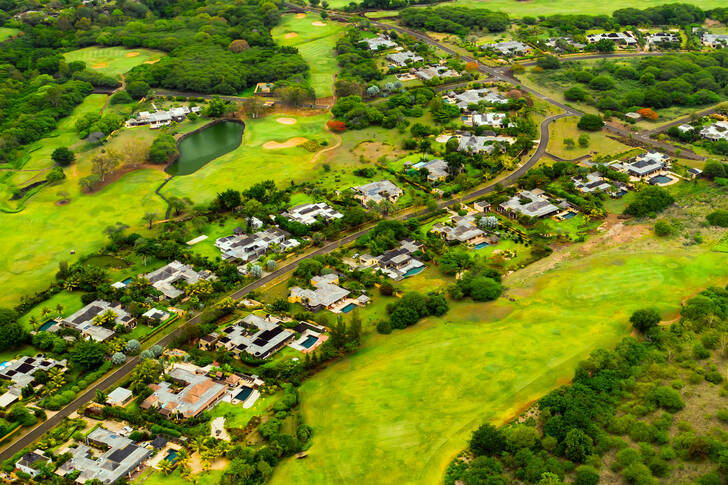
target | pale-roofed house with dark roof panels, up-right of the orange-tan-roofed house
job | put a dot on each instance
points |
(258, 336)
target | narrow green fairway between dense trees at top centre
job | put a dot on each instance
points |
(316, 46)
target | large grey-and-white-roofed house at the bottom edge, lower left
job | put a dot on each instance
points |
(118, 459)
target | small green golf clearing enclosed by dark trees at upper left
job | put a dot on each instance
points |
(112, 61)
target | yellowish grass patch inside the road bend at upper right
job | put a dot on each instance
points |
(564, 128)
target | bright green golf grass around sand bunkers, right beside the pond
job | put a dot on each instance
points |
(251, 163)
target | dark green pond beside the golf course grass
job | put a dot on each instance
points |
(198, 149)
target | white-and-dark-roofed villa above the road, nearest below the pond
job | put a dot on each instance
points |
(248, 248)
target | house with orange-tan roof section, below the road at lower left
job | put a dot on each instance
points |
(198, 394)
